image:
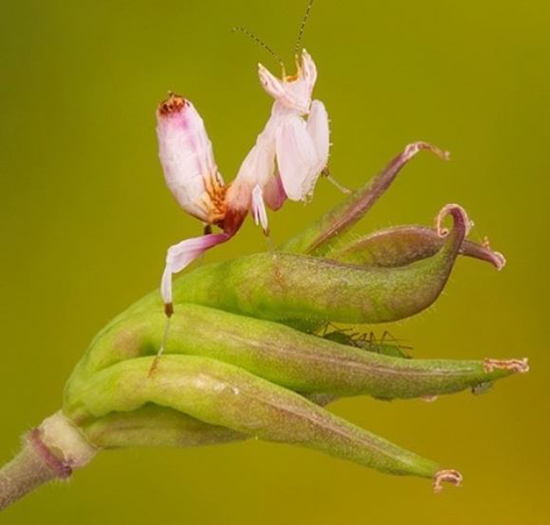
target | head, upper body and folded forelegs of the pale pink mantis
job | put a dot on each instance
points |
(298, 148)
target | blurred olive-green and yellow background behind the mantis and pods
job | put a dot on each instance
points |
(85, 220)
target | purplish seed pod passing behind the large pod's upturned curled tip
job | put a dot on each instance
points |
(404, 245)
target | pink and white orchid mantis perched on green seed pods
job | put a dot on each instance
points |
(286, 161)
